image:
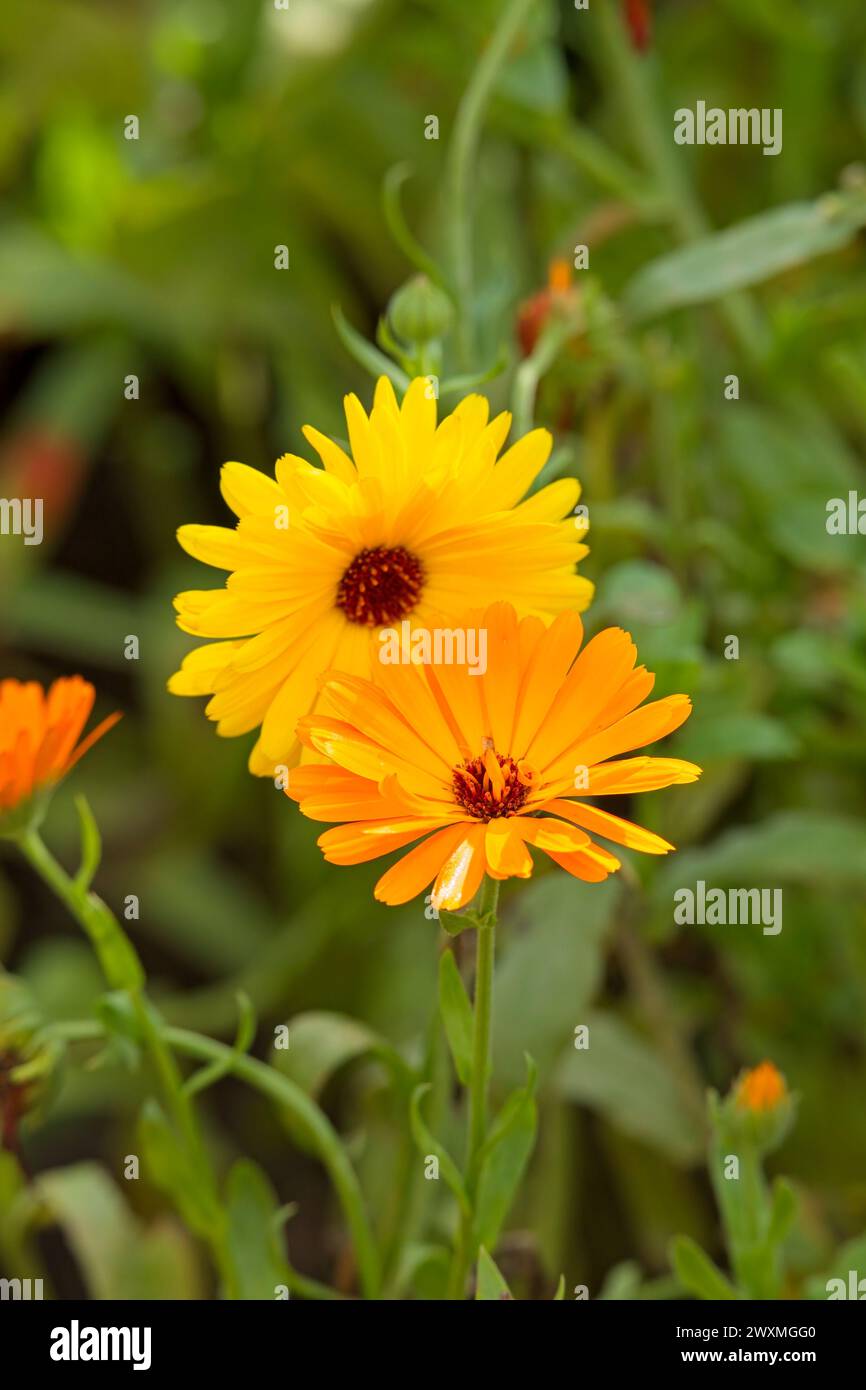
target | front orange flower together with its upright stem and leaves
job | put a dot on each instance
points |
(482, 769)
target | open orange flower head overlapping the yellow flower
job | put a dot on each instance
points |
(482, 768)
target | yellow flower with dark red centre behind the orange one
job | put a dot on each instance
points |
(419, 522)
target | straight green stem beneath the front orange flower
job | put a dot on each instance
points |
(479, 1089)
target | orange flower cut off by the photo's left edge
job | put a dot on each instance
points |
(40, 733)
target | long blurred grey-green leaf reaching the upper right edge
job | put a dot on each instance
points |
(746, 255)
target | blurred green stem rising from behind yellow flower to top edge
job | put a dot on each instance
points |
(468, 131)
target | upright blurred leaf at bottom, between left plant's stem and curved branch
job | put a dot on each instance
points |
(259, 1263)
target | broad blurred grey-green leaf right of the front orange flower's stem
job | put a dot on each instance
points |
(623, 1078)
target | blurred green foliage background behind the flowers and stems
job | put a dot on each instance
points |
(156, 258)
